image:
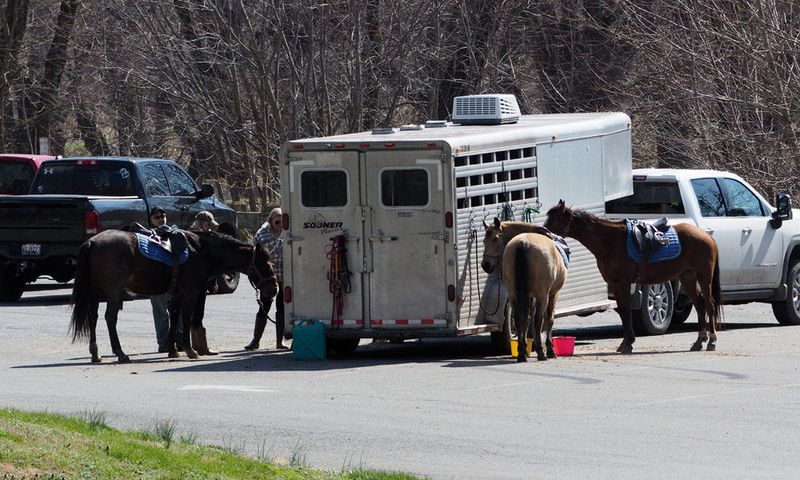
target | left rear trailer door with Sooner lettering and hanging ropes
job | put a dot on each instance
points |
(325, 199)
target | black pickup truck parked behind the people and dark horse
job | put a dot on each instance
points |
(72, 199)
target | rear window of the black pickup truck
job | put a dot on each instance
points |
(86, 177)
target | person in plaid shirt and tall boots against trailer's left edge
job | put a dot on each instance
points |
(270, 235)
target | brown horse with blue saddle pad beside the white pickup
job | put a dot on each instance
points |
(697, 267)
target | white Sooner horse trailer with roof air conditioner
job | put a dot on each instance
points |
(384, 229)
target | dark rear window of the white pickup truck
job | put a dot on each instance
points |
(649, 198)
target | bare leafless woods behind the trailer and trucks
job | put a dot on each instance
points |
(218, 85)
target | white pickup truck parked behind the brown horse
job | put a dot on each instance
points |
(759, 245)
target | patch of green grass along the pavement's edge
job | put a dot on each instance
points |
(50, 446)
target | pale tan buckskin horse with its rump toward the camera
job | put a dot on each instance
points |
(532, 267)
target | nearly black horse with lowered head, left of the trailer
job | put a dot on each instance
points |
(110, 263)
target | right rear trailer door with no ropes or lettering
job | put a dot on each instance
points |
(405, 224)
